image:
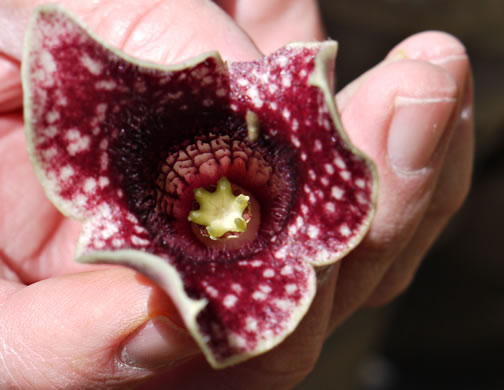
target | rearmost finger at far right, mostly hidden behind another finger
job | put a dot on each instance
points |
(454, 180)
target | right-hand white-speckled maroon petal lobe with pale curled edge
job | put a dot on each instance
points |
(290, 93)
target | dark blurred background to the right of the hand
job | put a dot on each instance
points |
(447, 331)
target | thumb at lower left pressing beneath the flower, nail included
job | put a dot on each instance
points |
(105, 329)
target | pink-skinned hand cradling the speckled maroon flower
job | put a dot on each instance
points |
(66, 330)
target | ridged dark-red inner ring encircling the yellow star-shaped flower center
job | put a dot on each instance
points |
(201, 163)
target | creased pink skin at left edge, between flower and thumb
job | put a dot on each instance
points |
(35, 239)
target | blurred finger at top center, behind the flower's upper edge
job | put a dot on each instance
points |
(272, 24)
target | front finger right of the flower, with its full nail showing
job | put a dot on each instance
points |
(398, 116)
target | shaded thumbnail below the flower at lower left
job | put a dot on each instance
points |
(158, 343)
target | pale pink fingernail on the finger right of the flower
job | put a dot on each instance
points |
(415, 131)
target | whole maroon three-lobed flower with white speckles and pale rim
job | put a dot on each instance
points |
(123, 144)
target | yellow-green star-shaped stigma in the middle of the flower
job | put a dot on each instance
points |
(220, 211)
